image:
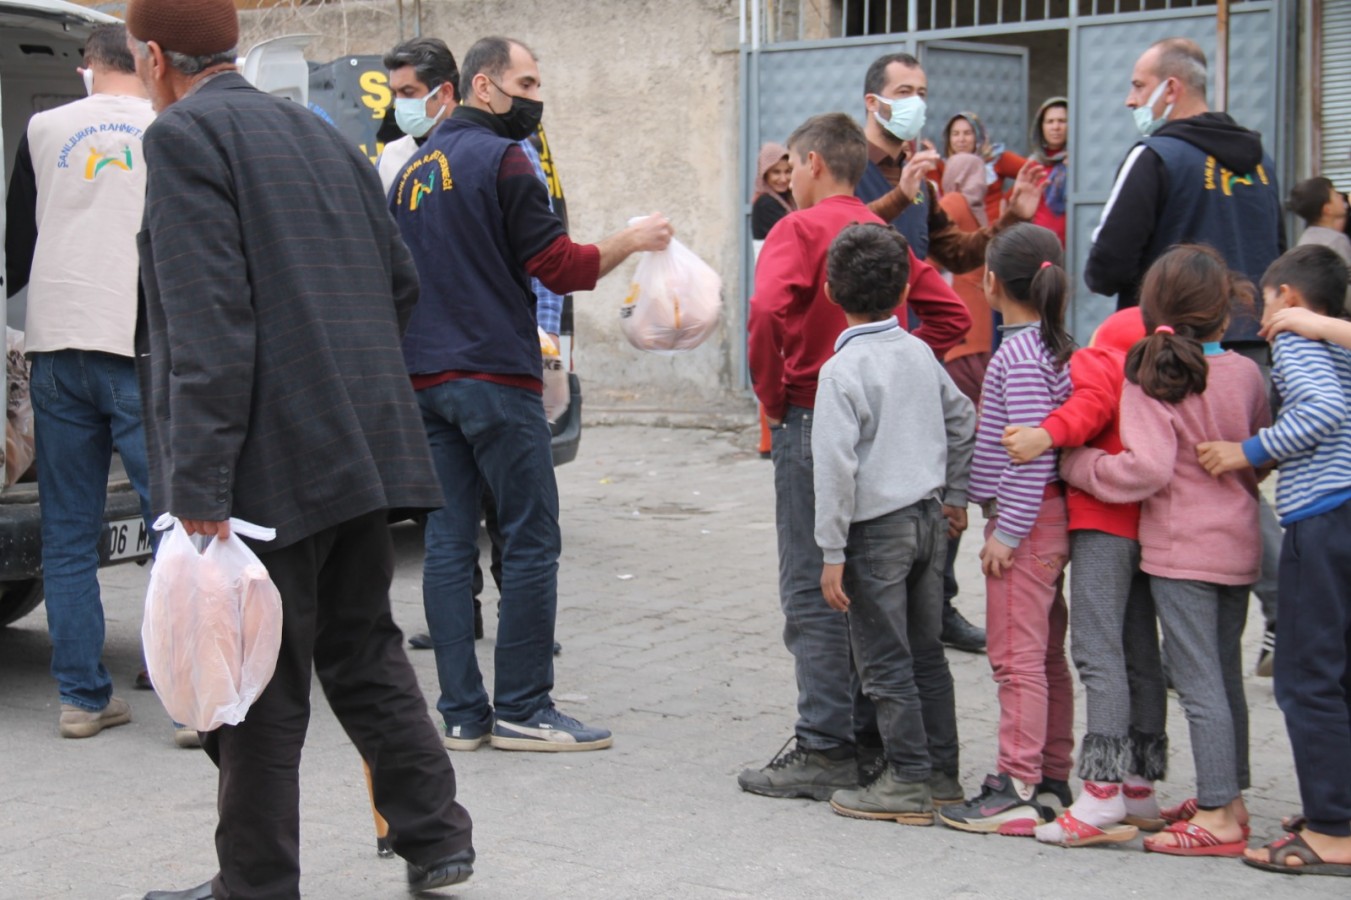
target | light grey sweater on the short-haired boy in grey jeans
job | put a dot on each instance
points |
(877, 449)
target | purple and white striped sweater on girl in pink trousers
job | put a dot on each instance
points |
(1022, 389)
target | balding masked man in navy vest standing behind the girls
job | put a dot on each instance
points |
(1198, 176)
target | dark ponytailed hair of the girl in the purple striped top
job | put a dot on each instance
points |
(1030, 263)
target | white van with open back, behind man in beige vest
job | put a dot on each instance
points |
(41, 44)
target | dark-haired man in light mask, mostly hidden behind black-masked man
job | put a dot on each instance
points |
(422, 78)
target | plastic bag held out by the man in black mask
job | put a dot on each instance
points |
(673, 303)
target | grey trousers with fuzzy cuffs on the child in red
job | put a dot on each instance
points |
(1115, 647)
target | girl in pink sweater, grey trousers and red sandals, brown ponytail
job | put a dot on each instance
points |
(1199, 536)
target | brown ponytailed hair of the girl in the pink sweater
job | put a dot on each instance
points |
(1186, 299)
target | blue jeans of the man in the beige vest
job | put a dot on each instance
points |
(84, 405)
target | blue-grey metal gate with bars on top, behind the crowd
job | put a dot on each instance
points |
(787, 82)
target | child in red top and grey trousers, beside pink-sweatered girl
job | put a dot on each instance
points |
(1115, 644)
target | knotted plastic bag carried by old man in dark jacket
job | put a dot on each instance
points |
(213, 626)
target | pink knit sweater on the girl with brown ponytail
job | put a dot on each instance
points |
(1192, 526)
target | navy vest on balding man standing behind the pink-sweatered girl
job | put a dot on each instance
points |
(1235, 213)
